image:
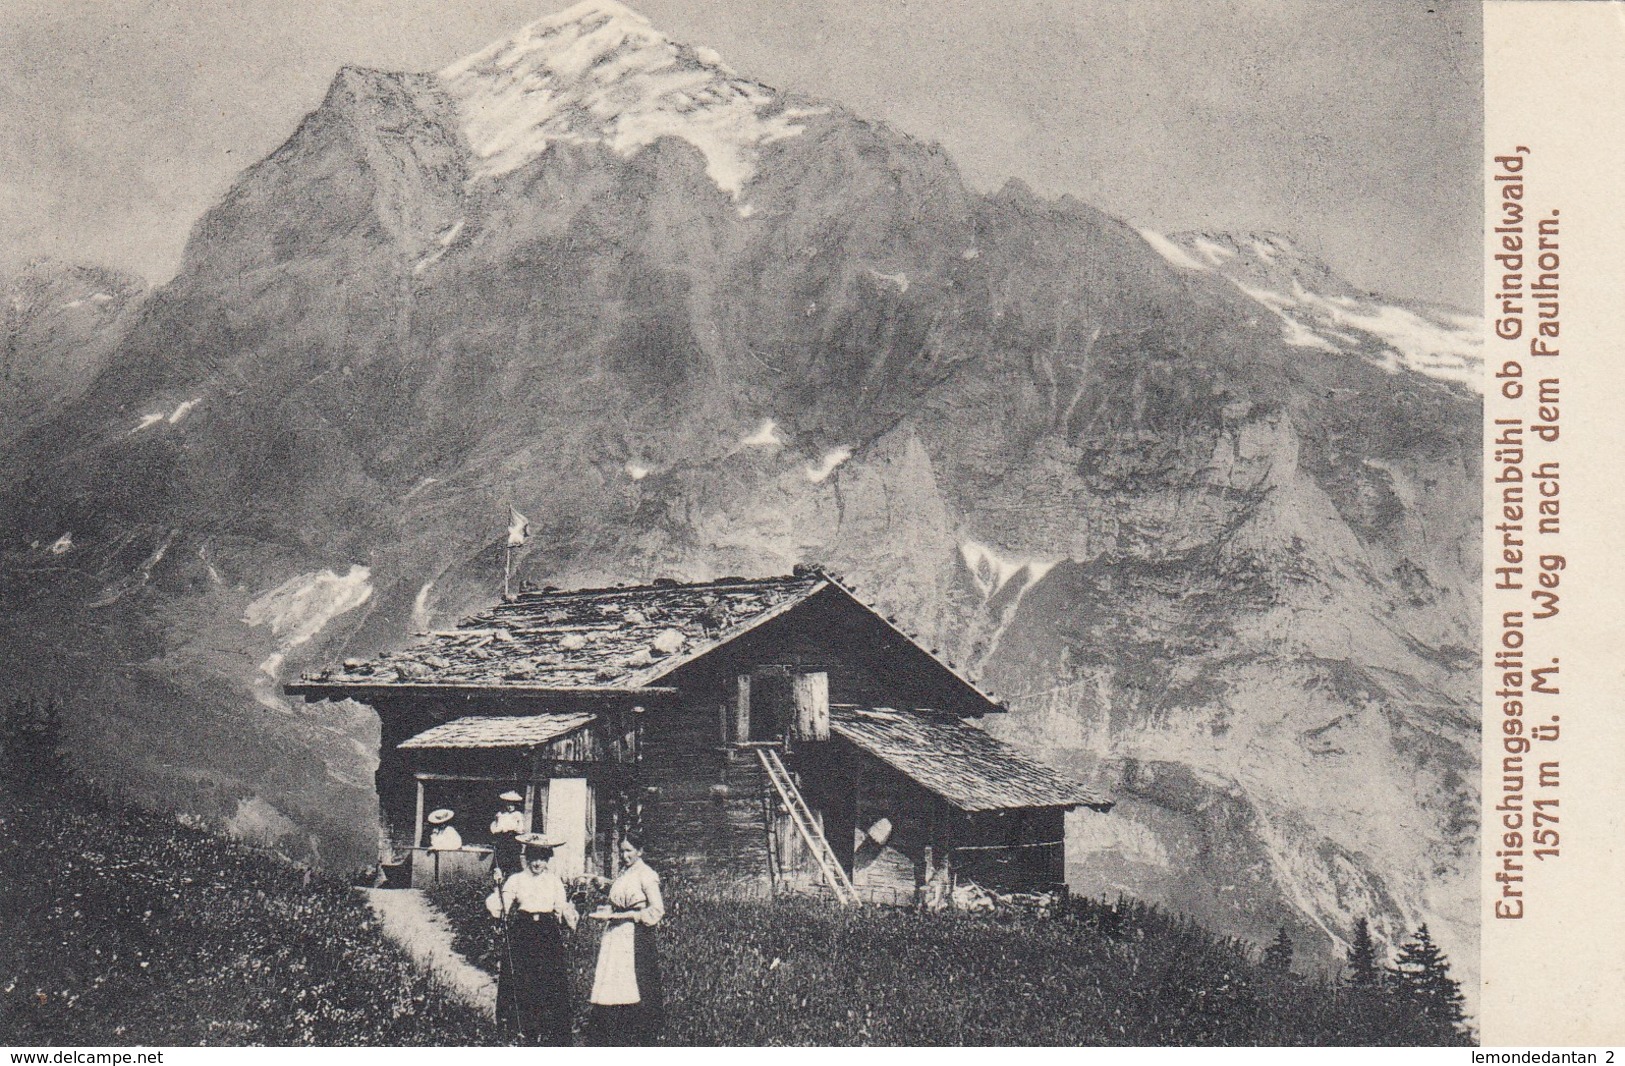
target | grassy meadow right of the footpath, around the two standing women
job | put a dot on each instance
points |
(804, 973)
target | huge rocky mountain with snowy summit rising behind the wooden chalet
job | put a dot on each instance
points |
(1203, 514)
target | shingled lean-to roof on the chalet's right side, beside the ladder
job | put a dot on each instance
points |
(960, 761)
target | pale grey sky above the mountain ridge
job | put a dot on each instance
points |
(1348, 124)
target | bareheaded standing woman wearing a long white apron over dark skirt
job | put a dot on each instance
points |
(628, 1005)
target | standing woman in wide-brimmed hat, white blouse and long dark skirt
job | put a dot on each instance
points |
(534, 995)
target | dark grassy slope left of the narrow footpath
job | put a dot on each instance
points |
(129, 929)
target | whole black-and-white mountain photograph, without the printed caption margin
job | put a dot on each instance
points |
(742, 524)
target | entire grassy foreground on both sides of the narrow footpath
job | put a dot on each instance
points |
(128, 927)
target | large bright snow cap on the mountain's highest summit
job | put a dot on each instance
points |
(602, 74)
